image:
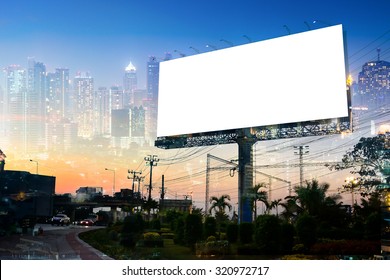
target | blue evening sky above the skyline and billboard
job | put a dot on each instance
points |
(102, 37)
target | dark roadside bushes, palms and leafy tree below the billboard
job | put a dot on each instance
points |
(311, 224)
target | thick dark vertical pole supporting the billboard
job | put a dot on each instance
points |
(245, 141)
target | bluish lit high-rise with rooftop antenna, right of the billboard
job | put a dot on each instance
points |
(374, 84)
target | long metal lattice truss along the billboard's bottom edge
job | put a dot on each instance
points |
(273, 132)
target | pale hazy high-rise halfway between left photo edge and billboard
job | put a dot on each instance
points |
(84, 107)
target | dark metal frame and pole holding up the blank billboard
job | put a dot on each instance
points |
(247, 137)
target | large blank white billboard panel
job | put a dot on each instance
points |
(295, 78)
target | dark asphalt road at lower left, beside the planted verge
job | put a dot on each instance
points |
(55, 243)
